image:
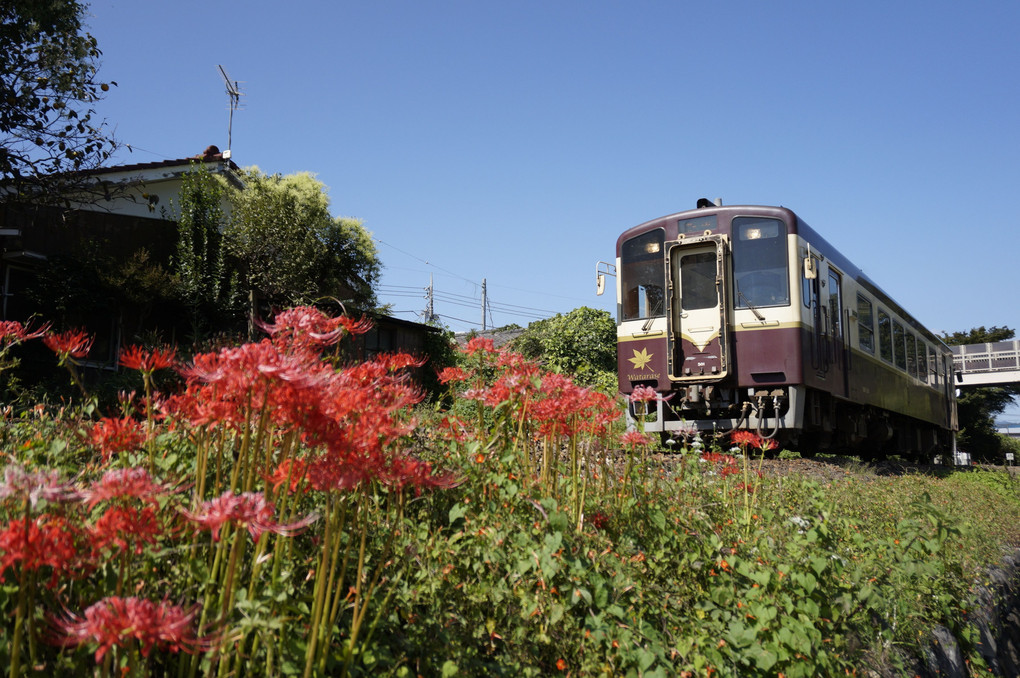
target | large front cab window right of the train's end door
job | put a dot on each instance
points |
(760, 263)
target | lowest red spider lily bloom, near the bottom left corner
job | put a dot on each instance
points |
(121, 622)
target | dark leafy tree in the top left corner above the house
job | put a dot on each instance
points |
(48, 86)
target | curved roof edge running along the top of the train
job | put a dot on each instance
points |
(819, 245)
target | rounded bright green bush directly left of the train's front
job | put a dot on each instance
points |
(582, 344)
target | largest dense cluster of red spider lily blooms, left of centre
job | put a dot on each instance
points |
(356, 414)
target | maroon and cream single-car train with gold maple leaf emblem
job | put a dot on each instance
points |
(745, 318)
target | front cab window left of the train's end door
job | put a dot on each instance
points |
(643, 276)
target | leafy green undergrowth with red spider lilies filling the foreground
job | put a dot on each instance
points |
(532, 555)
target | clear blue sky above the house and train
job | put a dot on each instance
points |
(513, 142)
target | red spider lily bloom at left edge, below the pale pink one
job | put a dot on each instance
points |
(47, 542)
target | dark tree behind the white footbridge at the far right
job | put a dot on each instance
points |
(979, 406)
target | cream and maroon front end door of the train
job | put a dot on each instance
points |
(698, 333)
